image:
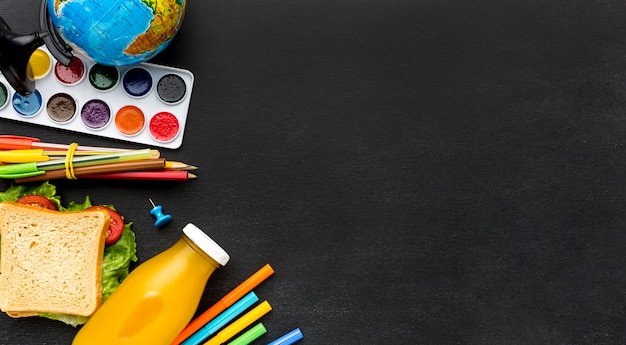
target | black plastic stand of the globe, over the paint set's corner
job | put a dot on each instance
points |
(16, 50)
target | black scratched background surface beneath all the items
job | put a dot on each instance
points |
(416, 171)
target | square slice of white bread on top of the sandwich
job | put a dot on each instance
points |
(50, 261)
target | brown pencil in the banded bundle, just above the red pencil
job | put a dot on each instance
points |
(138, 165)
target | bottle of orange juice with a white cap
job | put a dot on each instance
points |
(158, 298)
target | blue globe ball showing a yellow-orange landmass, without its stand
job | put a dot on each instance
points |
(117, 32)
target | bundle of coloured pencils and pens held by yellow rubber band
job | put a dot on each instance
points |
(28, 160)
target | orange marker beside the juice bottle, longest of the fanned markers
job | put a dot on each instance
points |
(224, 303)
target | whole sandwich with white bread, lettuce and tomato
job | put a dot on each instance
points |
(58, 264)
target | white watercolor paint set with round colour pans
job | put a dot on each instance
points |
(144, 103)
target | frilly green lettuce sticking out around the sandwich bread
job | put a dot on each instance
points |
(117, 257)
